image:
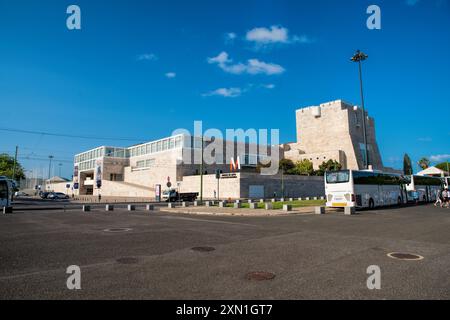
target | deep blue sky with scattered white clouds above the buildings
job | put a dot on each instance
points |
(141, 69)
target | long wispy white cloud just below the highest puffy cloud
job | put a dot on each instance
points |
(253, 66)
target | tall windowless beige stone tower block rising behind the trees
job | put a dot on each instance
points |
(333, 130)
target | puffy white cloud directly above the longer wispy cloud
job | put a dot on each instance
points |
(274, 35)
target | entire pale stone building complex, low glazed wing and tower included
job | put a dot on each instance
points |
(331, 130)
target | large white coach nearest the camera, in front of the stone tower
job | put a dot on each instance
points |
(363, 189)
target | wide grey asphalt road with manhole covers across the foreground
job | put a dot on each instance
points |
(311, 256)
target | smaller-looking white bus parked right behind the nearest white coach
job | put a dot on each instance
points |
(423, 188)
